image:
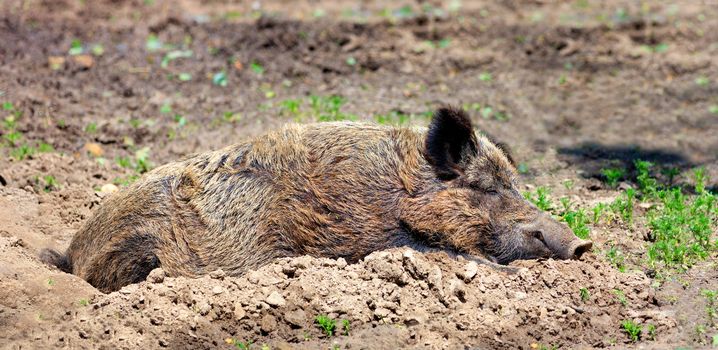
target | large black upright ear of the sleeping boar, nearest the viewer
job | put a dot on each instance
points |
(450, 138)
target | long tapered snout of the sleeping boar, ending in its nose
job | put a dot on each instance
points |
(558, 238)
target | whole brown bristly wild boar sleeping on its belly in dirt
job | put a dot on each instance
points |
(332, 190)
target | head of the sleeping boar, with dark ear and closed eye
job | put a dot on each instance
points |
(470, 200)
